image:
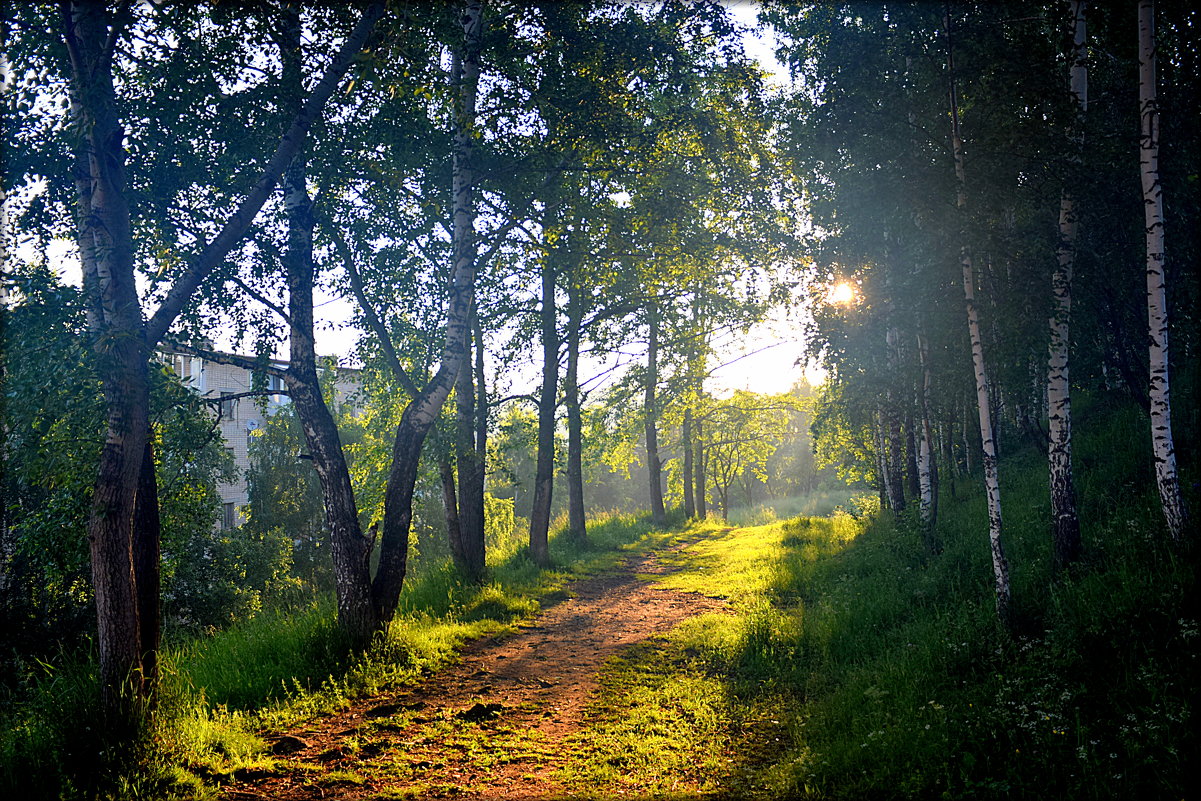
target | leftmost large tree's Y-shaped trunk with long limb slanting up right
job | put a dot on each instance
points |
(124, 542)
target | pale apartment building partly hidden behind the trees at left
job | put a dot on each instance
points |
(240, 416)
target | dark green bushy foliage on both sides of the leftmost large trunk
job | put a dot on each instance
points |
(55, 429)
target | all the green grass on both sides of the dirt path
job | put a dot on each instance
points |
(853, 663)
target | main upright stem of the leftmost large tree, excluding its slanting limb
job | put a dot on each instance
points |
(121, 351)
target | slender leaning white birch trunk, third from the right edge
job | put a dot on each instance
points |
(991, 476)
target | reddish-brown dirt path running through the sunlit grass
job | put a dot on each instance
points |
(494, 725)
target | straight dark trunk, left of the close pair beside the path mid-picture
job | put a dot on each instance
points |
(545, 470)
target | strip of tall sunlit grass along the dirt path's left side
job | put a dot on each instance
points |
(276, 671)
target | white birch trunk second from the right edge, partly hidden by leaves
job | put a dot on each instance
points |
(1066, 525)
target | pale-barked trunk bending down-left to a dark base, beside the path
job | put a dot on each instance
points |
(423, 411)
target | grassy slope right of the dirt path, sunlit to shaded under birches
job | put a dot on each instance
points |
(859, 666)
